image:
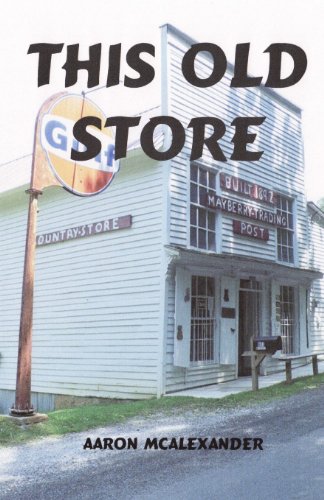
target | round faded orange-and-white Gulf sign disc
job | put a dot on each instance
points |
(84, 178)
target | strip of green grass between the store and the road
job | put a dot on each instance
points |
(82, 418)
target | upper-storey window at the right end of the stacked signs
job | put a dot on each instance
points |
(285, 236)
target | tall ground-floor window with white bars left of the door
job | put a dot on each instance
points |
(202, 319)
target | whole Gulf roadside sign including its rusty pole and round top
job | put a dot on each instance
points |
(89, 181)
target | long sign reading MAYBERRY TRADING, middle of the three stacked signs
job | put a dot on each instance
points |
(243, 209)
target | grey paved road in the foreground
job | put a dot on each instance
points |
(291, 465)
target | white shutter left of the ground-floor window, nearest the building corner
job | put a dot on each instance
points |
(182, 318)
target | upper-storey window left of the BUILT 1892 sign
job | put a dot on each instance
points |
(202, 220)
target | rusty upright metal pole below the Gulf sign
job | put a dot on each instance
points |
(22, 406)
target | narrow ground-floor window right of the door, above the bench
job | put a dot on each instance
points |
(287, 318)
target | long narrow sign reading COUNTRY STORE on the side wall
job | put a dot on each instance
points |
(74, 233)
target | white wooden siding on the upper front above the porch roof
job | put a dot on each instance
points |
(280, 168)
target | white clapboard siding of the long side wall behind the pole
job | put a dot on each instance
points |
(97, 299)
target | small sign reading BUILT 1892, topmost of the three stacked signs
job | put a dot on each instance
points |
(248, 189)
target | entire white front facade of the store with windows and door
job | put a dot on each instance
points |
(241, 231)
